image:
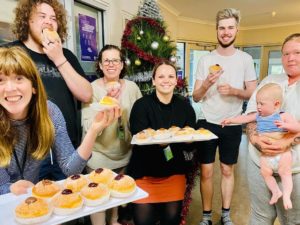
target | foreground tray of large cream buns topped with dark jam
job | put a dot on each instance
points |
(50, 202)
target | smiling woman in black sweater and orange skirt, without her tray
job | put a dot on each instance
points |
(157, 169)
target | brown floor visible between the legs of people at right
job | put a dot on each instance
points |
(240, 207)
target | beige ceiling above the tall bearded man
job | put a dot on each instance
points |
(254, 13)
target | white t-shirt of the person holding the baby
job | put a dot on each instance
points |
(291, 104)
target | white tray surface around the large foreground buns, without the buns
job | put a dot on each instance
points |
(9, 202)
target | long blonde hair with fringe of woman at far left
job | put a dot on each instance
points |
(41, 129)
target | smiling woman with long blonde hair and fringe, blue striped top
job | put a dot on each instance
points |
(31, 126)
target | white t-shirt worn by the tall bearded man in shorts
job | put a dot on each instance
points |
(238, 68)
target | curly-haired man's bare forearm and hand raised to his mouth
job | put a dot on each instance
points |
(78, 85)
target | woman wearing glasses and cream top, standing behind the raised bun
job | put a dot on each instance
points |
(112, 148)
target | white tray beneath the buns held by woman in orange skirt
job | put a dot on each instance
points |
(173, 139)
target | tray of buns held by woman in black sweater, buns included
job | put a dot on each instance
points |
(174, 134)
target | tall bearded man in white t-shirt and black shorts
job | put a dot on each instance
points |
(222, 94)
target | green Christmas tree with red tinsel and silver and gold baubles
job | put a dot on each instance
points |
(145, 42)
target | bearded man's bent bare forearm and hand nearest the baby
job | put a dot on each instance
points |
(226, 89)
